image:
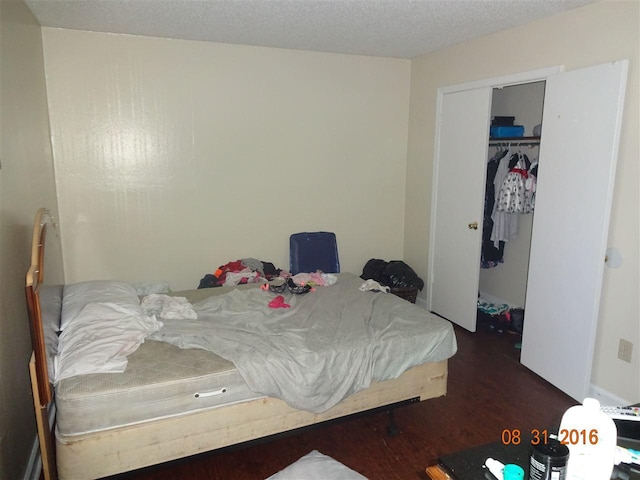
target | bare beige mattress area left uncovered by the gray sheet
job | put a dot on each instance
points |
(160, 381)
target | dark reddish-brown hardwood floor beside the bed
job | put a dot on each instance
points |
(488, 391)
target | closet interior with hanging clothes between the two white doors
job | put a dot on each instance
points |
(504, 265)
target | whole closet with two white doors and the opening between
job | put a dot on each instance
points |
(561, 284)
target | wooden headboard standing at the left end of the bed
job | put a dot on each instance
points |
(40, 384)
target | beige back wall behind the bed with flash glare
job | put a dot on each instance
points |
(174, 157)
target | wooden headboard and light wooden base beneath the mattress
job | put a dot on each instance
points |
(128, 448)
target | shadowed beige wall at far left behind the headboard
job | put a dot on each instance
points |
(26, 183)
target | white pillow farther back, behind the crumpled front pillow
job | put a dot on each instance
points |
(76, 295)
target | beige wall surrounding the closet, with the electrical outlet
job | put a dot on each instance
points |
(598, 33)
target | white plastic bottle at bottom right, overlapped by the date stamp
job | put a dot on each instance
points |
(592, 439)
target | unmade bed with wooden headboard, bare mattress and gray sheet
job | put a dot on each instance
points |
(171, 402)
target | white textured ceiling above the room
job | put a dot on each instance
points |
(388, 28)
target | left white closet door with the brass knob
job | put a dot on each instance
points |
(460, 168)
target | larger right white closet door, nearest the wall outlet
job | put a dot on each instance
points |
(578, 153)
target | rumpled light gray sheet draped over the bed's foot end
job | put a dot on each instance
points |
(331, 343)
